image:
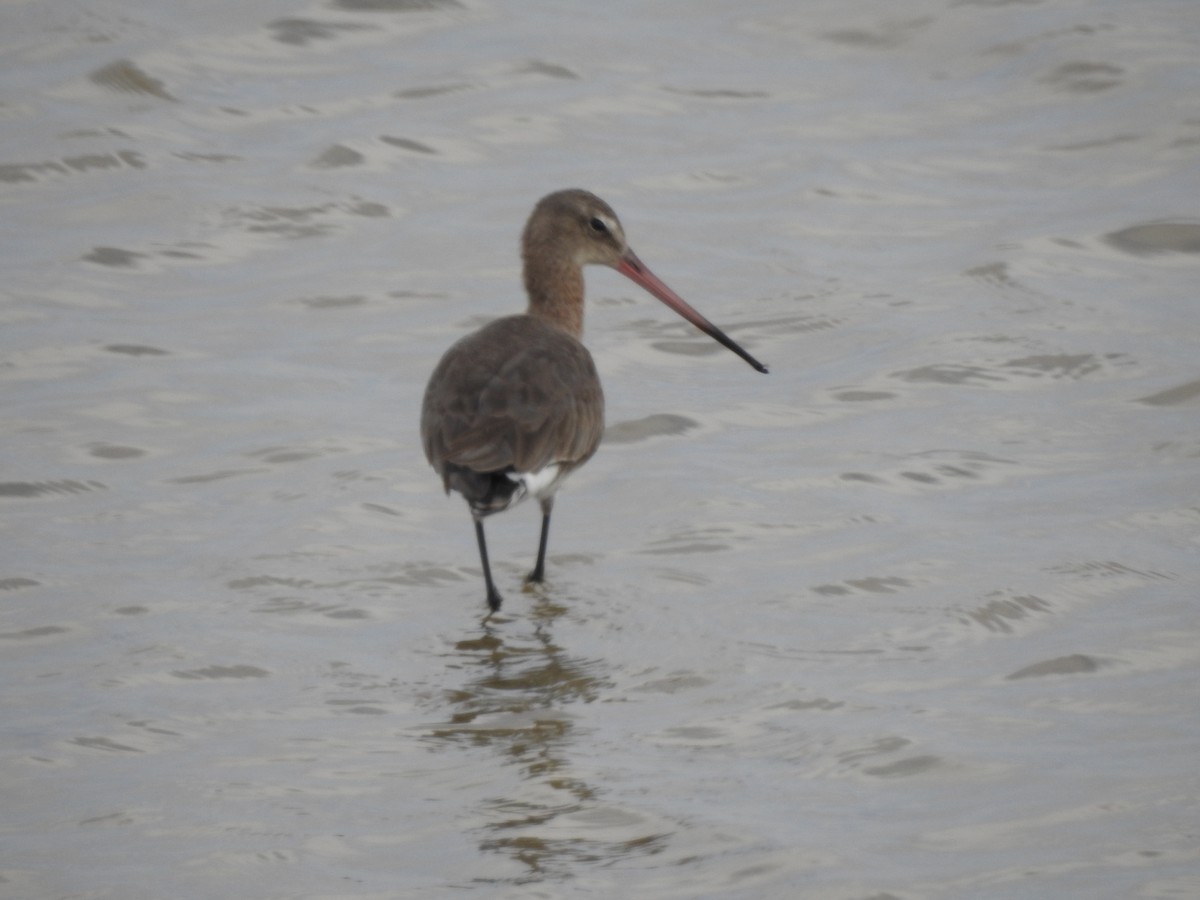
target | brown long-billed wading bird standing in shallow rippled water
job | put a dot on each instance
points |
(515, 407)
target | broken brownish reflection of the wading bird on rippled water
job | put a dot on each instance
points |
(515, 703)
